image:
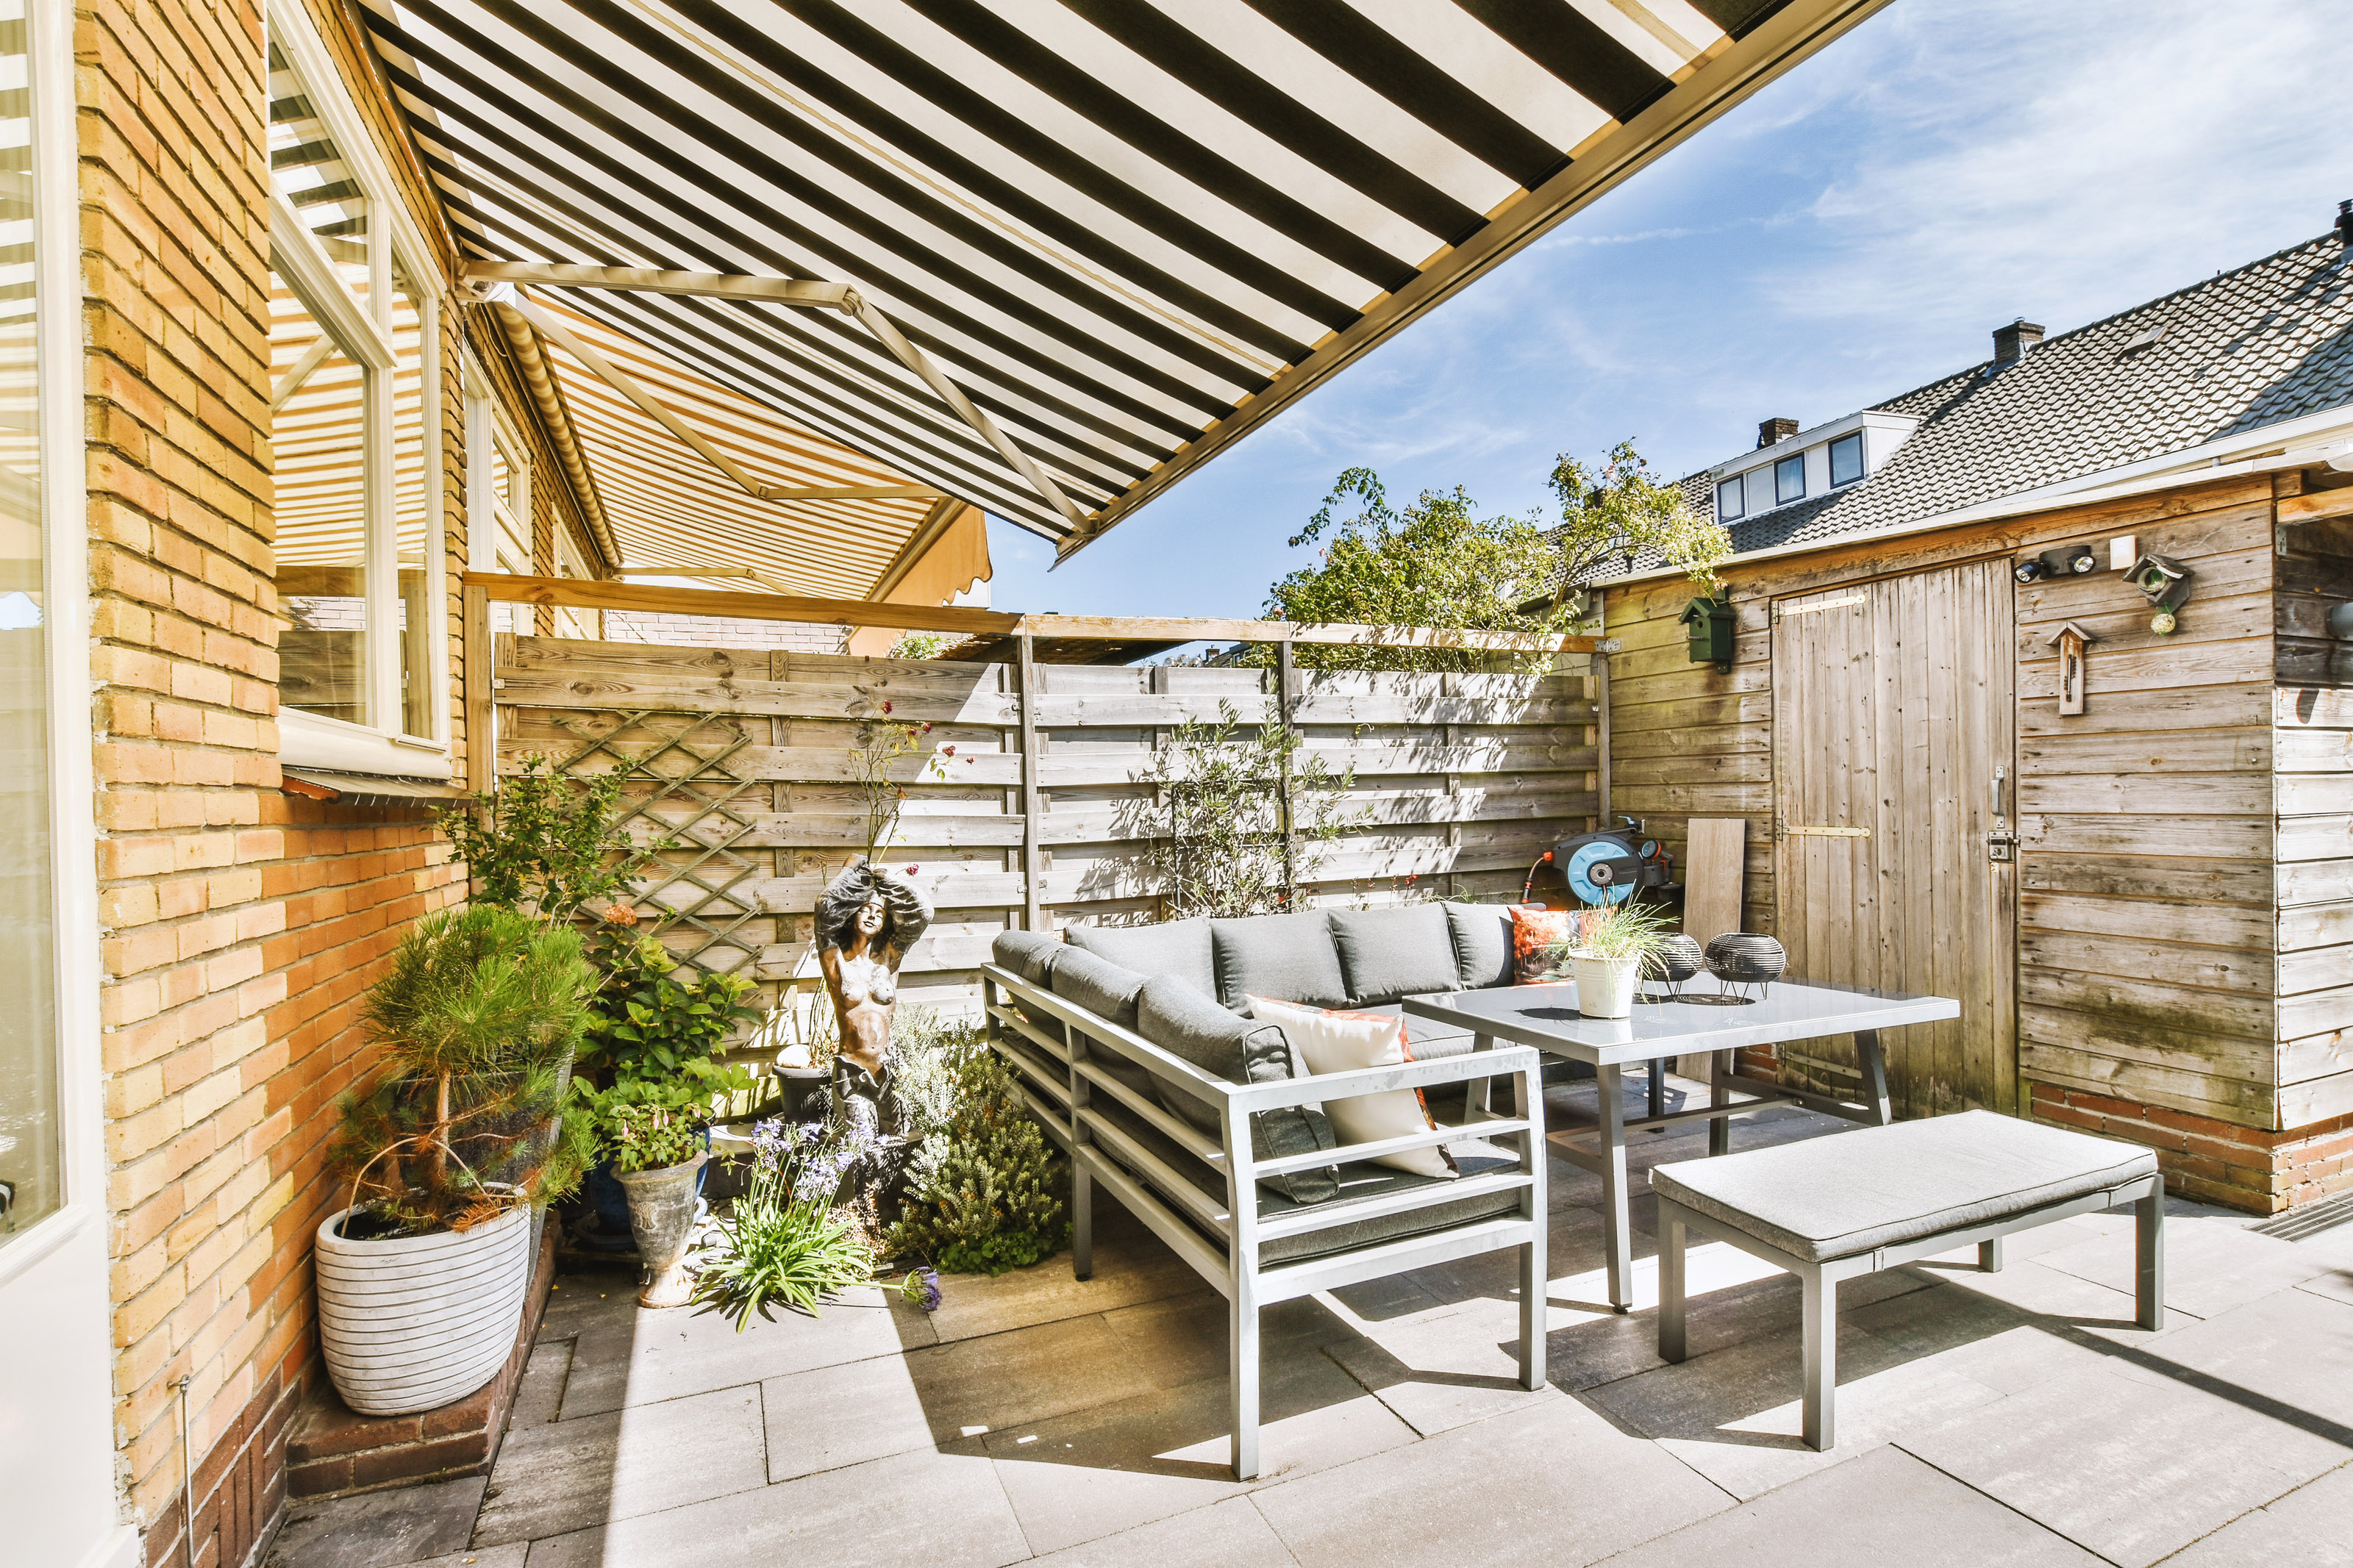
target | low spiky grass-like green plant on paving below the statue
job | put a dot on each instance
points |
(775, 1247)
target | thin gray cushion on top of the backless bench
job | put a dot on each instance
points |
(1848, 1193)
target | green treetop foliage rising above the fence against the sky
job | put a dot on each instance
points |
(1434, 563)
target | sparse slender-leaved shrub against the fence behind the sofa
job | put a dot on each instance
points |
(1218, 817)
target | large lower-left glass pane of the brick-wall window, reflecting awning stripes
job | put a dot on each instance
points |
(319, 462)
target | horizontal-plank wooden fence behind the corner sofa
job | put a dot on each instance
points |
(1460, 782)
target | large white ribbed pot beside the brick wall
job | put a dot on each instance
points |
(420, 1322)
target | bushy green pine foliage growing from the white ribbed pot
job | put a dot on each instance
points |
(479, 1021)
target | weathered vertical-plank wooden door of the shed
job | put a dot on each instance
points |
(1893, 723)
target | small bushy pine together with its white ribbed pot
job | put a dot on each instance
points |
(448, 1146)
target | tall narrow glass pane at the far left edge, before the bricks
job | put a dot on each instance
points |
(29, 1155)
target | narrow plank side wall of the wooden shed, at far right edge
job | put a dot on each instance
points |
(2314, 796)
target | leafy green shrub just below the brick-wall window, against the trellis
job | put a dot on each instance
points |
(542, 845)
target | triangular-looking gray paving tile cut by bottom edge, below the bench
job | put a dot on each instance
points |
(1867, 1513)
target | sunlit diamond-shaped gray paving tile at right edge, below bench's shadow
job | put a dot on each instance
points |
(2124, 1466)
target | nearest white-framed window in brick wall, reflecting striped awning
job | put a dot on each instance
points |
(354, 347)
